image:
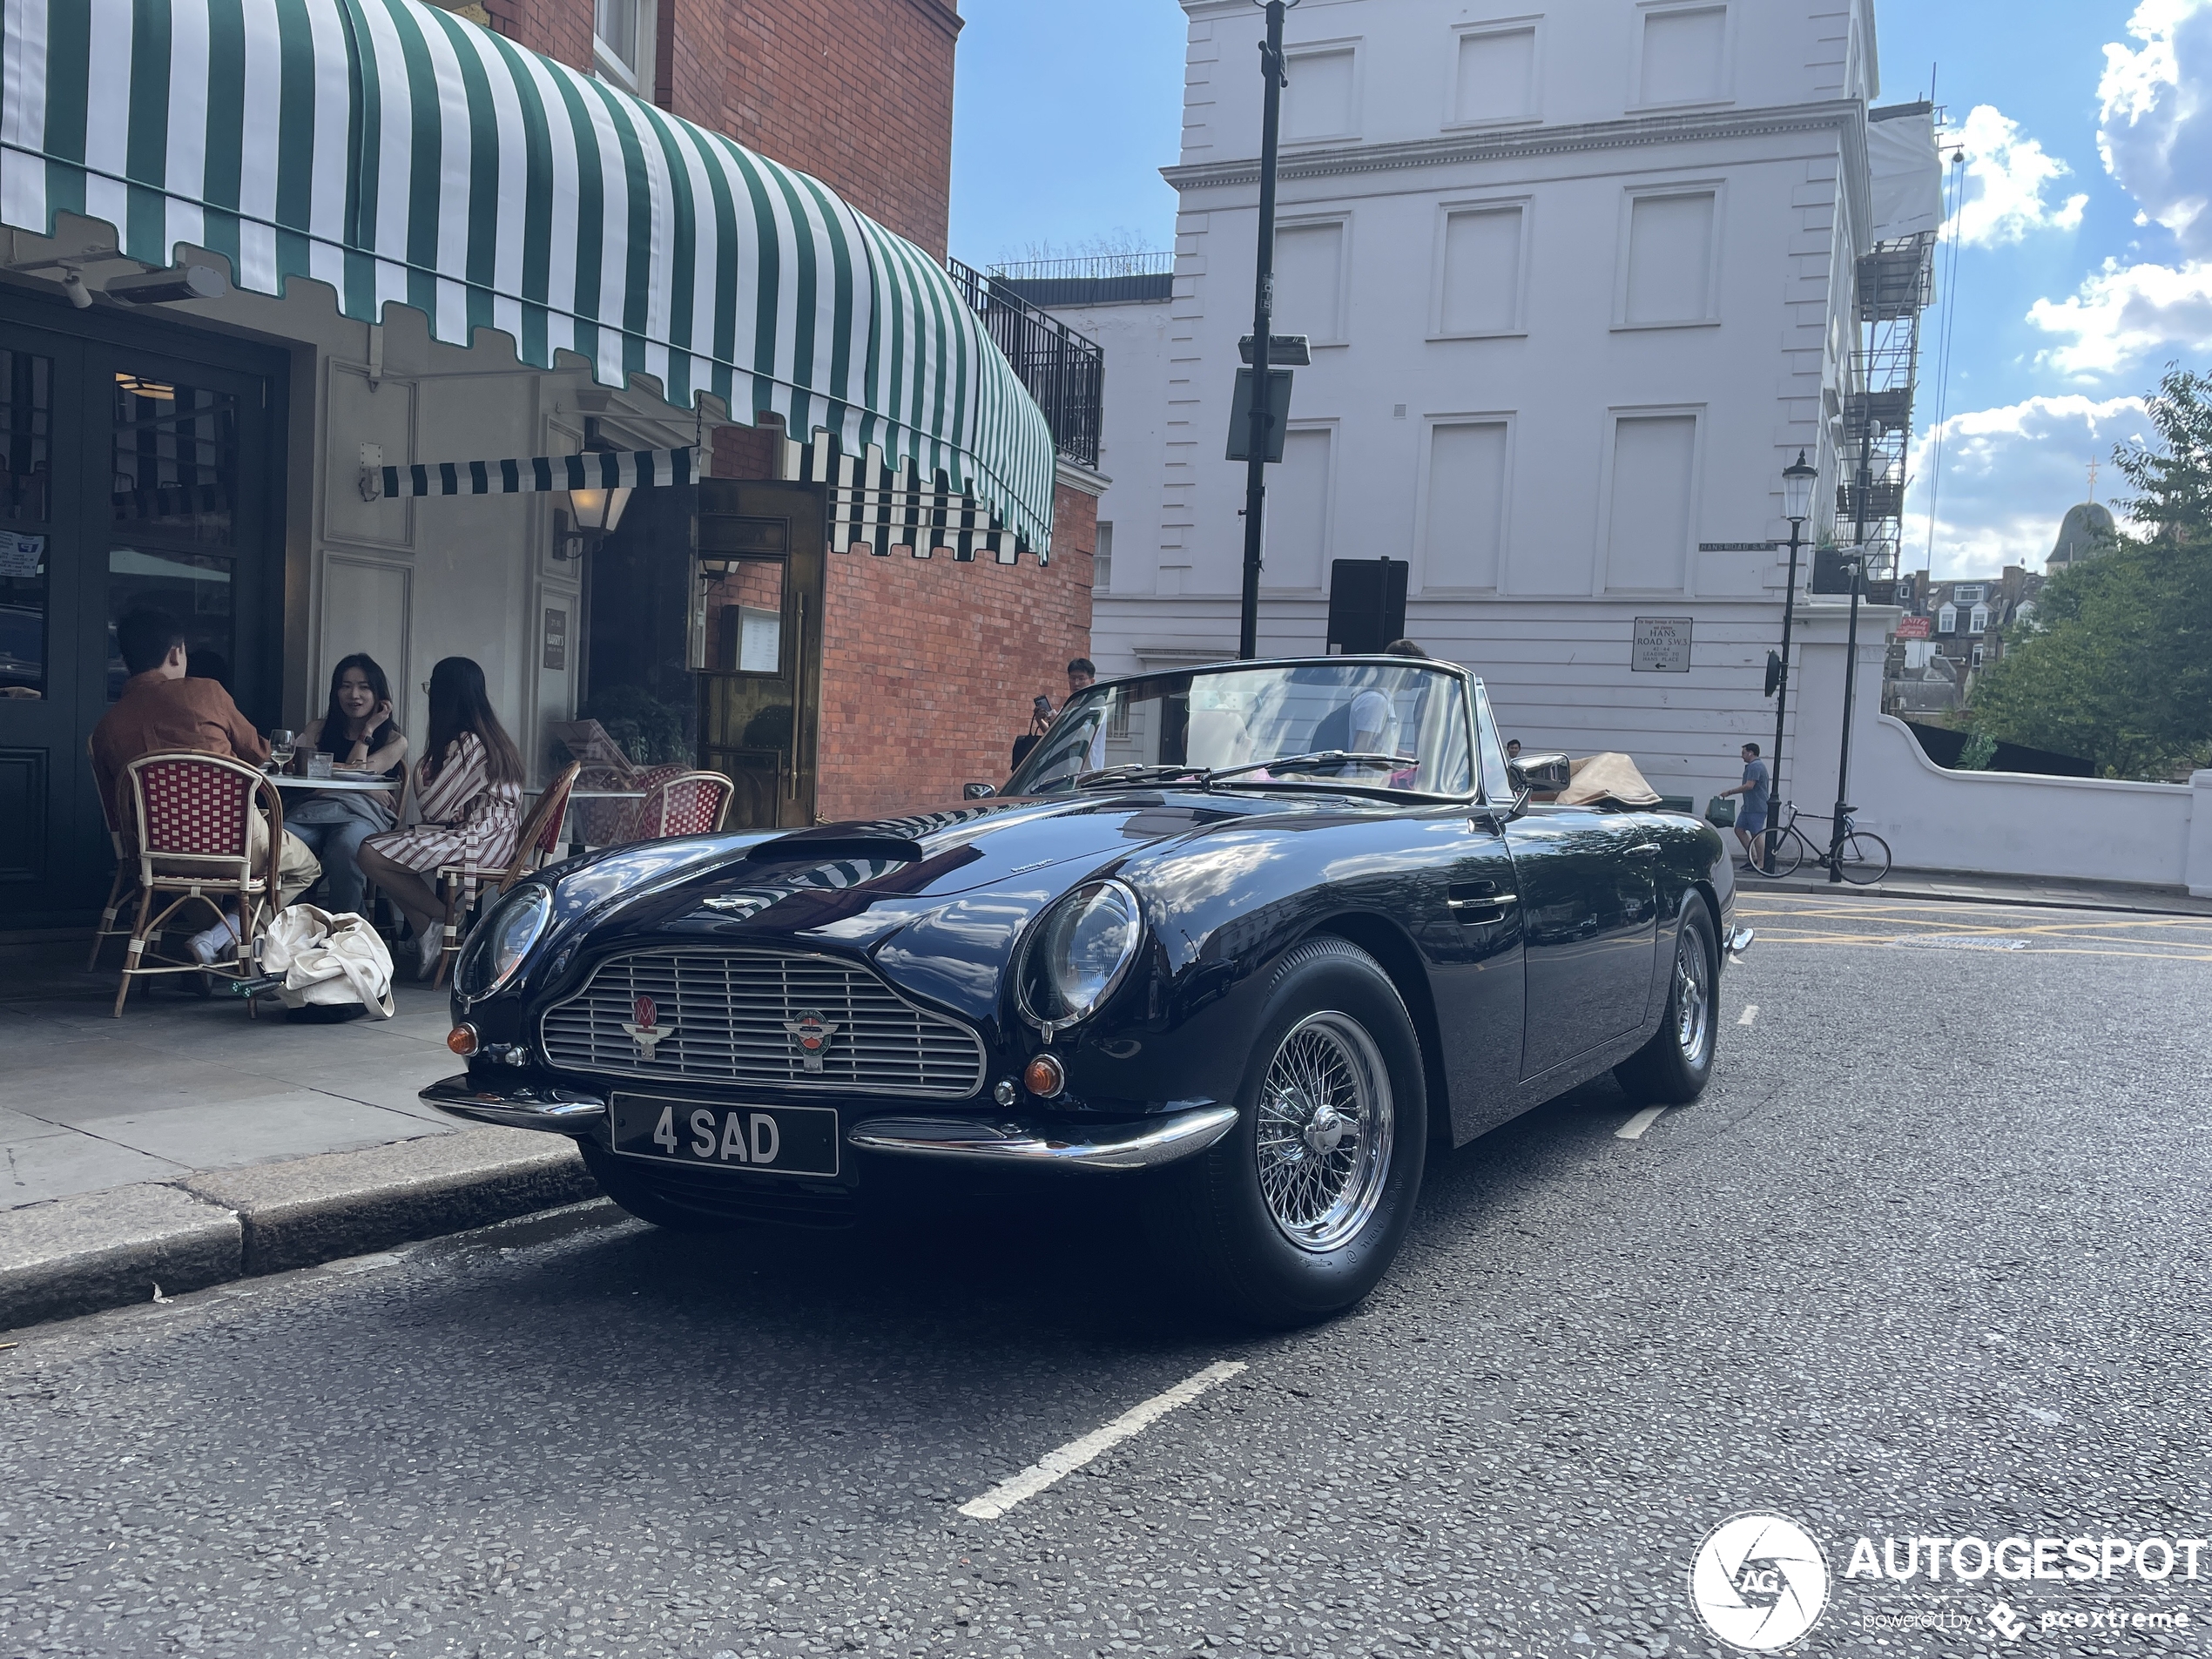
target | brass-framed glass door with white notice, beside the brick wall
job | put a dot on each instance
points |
(758, 634)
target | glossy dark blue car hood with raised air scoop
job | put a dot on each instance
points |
(937, 901)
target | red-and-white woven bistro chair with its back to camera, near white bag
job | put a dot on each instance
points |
(194, 817)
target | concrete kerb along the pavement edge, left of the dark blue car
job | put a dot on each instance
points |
(114, 1249)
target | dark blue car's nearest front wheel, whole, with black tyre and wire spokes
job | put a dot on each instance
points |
(1300, 1211)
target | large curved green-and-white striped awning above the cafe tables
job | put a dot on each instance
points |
(408, 158)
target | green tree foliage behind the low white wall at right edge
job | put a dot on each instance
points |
(2118, 660)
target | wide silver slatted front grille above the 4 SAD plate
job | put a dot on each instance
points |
(727, 1021)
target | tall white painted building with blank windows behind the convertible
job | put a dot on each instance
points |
(1580, 284)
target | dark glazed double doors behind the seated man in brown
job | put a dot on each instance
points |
(134, 472)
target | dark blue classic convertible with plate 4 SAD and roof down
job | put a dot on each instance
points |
(1253, 937)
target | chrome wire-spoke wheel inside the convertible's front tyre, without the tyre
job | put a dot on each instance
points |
(1324, 1134)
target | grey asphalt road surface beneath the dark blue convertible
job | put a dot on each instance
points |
(1930, 1260)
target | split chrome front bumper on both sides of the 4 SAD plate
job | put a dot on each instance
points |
(1138, 1145)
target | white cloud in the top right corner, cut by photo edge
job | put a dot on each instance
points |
(2156, 132)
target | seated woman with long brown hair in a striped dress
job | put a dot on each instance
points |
(470, 795)
